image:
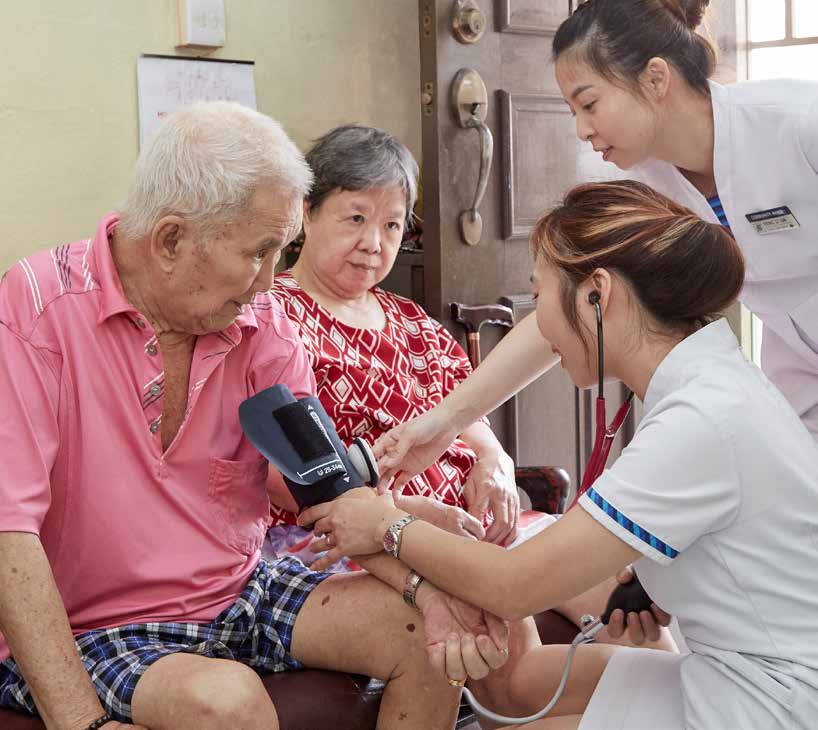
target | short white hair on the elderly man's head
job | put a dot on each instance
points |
(205, 162)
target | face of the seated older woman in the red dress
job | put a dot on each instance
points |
(352, 240)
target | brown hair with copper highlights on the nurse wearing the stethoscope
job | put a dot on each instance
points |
(682, 270)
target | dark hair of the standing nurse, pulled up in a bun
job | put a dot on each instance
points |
(617, 38)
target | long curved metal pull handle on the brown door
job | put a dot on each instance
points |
(470, 102)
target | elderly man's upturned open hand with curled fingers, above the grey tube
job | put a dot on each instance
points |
(462, 640)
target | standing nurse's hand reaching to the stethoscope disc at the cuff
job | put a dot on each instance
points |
(412, 447)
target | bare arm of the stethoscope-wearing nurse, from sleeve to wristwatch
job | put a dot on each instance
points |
(559, 563)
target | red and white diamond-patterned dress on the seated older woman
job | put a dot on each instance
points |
(371, 380)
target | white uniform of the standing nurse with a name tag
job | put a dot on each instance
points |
(766, 156)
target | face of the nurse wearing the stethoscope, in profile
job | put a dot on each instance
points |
(554, 325)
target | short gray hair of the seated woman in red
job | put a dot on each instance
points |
(353, 157)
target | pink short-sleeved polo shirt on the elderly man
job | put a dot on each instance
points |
(133, 534)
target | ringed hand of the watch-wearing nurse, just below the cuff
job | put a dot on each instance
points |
(353, 524)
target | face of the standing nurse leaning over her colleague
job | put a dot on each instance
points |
(620, 124)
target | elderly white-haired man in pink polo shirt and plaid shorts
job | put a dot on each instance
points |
(132, 509)
